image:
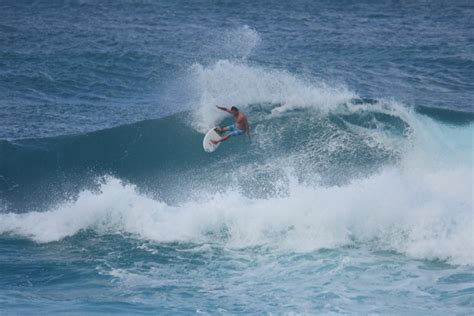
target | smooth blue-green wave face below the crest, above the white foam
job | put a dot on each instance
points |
(165, 156)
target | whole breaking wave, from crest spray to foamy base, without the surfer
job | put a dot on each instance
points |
(325, 168)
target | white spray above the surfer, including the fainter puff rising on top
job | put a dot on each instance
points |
(233, 80)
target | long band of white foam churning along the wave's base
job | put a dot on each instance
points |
(422, 207)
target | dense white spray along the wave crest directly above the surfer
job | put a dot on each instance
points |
(238, 83)
